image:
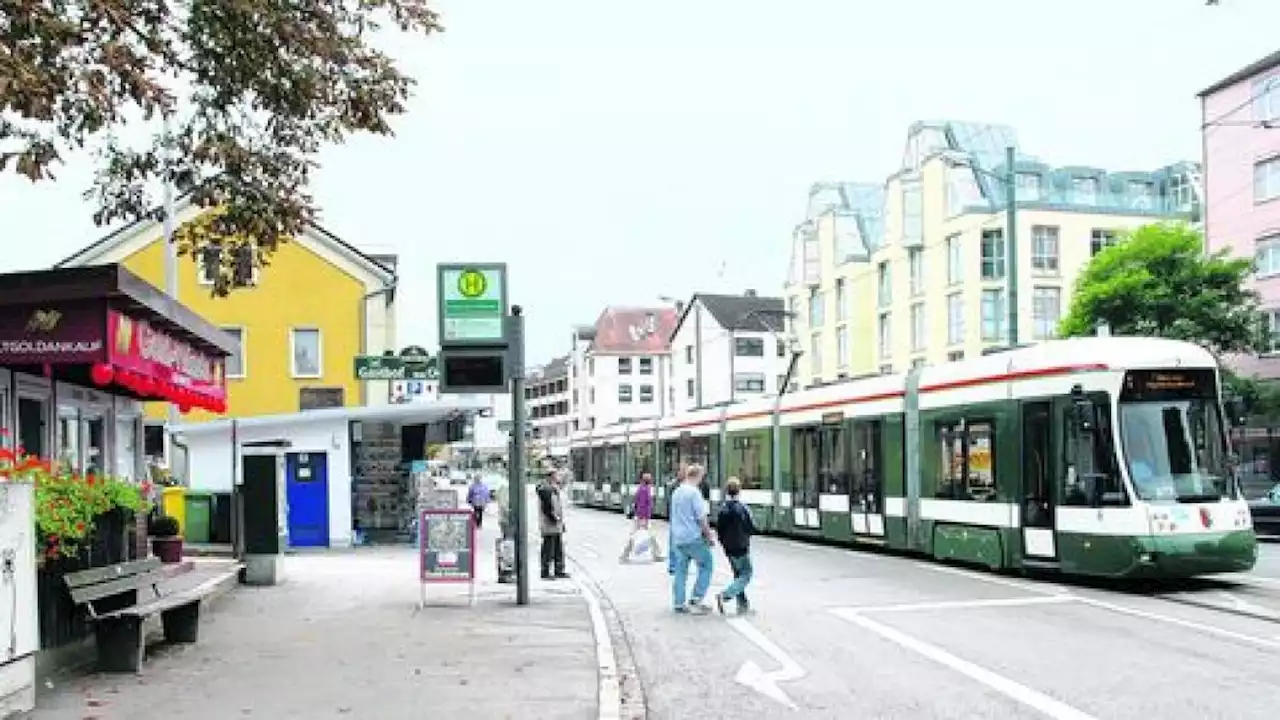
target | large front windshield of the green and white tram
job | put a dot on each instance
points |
(1173, 438)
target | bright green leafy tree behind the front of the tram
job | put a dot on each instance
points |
(1159, 282)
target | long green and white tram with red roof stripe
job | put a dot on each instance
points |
(1094, 457)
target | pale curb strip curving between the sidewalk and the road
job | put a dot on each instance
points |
(621, 690)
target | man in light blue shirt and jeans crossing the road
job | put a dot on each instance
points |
(692, 535)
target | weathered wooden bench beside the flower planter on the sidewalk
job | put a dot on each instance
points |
(120, 599)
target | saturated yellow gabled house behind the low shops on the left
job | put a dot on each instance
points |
(300, 322)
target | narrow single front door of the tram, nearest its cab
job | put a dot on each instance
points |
(1037, 493)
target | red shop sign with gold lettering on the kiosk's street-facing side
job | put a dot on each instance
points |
(144, 349)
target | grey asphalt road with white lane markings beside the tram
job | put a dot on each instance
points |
(847, 635)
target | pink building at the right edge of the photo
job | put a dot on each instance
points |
(1242, 183)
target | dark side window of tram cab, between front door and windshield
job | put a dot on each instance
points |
(1091, 477)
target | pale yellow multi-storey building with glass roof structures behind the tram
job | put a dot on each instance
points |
(912, 272)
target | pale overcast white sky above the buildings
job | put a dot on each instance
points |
(612, 152)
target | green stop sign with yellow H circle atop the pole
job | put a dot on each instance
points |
(473, 303)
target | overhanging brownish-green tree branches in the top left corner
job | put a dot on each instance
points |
(252, 90)
